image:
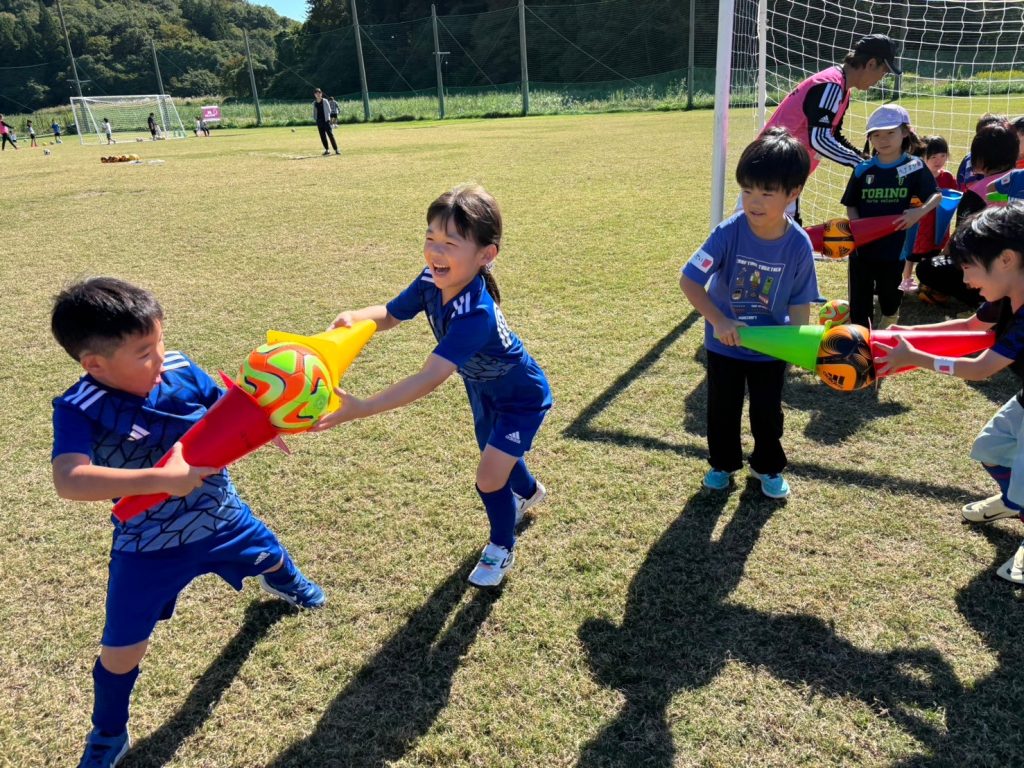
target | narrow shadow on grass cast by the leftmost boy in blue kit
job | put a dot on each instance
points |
(160, 747)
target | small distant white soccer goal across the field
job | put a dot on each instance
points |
(129, 117)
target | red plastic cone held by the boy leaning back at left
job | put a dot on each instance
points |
(234, 428)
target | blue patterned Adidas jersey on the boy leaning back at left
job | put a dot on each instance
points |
(118, 430)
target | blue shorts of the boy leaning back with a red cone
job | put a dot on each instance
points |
(145, 586)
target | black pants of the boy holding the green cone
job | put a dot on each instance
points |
(728, 380)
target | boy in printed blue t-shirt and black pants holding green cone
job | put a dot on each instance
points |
(757, 269)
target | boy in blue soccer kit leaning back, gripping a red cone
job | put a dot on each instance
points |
(133, 406)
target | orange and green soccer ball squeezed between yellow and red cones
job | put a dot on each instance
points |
(290, 382)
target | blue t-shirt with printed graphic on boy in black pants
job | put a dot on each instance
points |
(753, 280)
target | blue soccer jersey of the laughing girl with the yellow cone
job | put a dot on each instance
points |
(472, 334)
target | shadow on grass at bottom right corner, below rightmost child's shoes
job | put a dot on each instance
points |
(985, 727)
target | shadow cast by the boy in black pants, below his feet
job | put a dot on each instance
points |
(679, 631)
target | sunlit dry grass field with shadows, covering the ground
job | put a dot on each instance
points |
(647, 623)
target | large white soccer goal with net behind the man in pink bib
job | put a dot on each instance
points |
(961, 59)
